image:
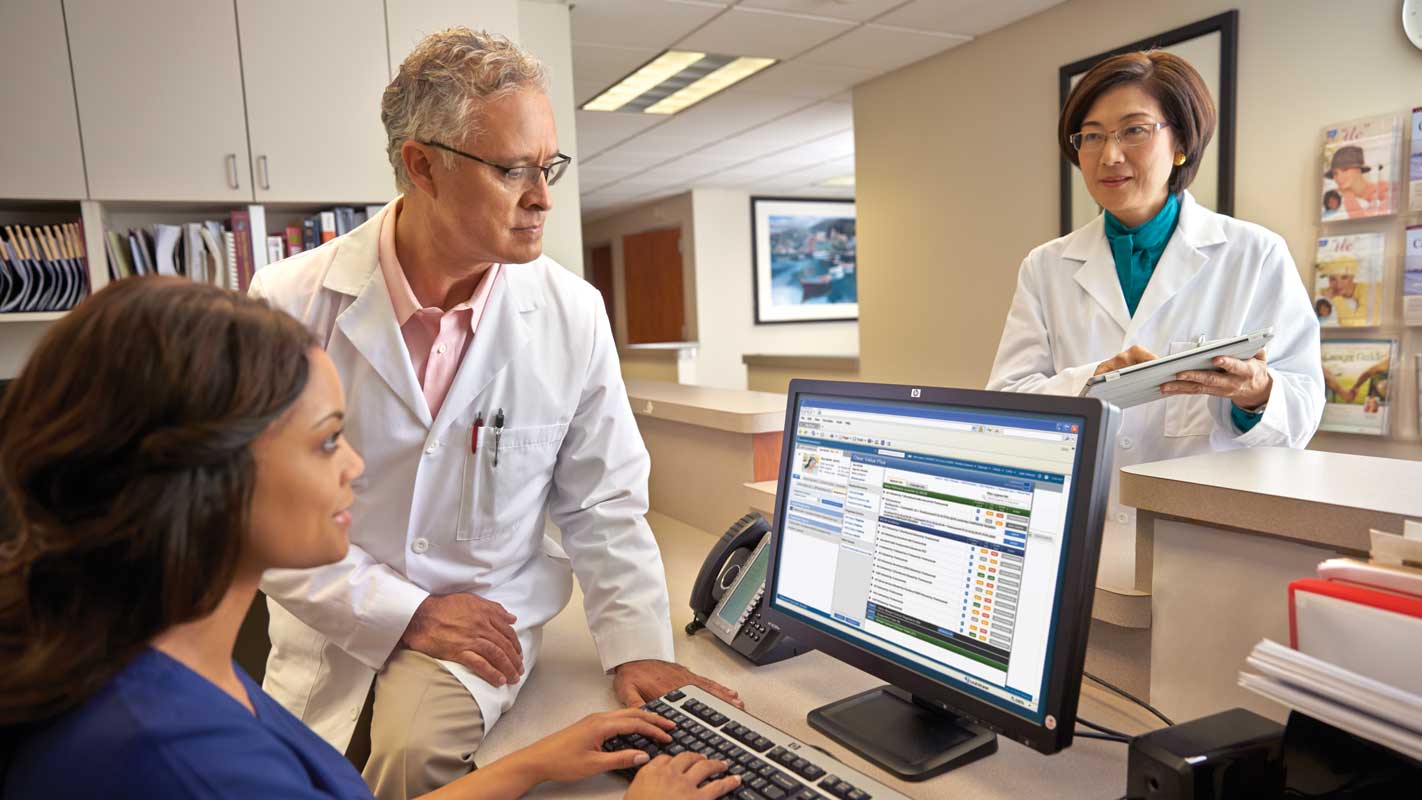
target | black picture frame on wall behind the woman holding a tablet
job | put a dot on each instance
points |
(1228, 26)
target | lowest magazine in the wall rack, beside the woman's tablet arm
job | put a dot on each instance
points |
(1356, 386)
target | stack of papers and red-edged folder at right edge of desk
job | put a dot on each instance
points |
(1356, 637)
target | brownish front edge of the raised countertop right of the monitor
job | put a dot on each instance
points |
(1305, 522)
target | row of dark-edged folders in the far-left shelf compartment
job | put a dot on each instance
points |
(43, 268)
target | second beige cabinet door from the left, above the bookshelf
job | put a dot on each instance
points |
(160, 97)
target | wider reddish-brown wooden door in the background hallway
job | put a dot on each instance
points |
(652, 266)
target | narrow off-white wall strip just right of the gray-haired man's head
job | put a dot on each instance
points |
(545, 31)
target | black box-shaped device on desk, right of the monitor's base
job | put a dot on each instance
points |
(1234, 755)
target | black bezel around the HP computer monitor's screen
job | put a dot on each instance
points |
(1073, 615)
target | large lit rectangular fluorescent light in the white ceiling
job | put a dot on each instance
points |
(675, 82)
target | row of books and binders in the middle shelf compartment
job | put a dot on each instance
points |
(207, 252)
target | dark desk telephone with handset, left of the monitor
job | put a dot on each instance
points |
(730, 595)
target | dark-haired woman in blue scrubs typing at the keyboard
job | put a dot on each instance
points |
(166, 445)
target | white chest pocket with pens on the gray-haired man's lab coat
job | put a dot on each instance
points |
(507, 478)
